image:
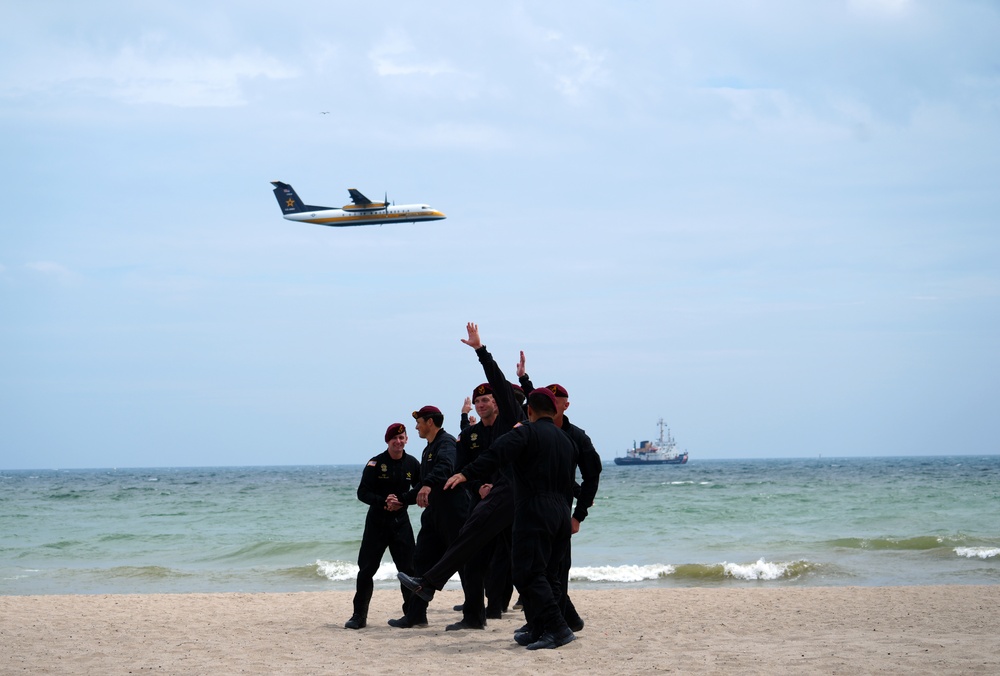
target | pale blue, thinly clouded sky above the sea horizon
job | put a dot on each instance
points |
(772, 223)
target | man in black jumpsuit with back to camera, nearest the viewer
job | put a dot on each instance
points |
(543, 461)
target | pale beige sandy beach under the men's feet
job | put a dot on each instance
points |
(826, 630)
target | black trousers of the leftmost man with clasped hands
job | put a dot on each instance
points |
(383, 530)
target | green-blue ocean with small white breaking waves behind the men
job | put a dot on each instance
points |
(716, 523)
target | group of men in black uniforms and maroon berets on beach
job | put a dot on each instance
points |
(498, 508)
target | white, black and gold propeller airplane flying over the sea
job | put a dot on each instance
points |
(362, 212)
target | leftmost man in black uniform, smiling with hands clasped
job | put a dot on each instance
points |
(387, 475)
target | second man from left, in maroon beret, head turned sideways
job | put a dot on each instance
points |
(444, 512)
